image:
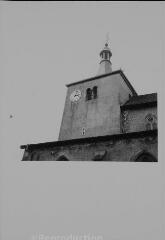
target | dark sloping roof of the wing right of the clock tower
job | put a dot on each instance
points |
(141, 101)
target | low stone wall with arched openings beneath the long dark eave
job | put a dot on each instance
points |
(110, 150)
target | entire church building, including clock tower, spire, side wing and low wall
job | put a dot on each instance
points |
(103, 120)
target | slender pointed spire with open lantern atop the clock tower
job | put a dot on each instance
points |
(105, 63)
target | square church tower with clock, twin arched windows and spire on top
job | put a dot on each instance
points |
(92, 106)
